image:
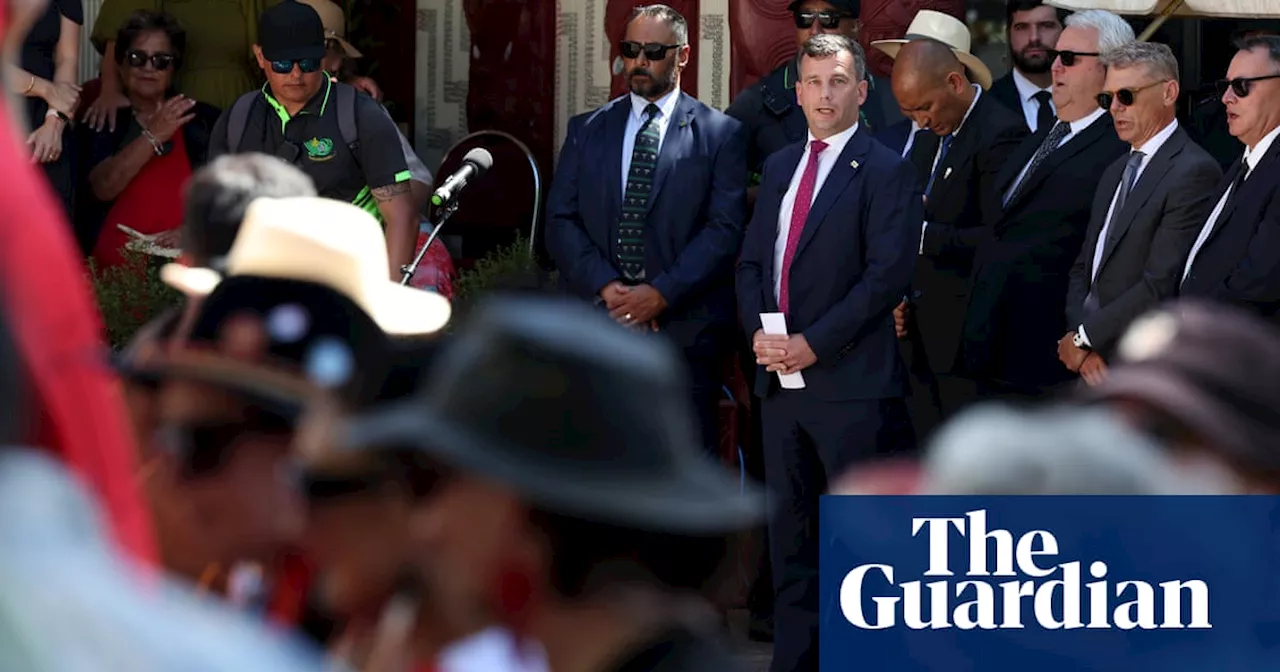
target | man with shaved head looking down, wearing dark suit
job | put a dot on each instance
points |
(977, 136)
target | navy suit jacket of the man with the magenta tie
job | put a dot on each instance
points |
(852, 267)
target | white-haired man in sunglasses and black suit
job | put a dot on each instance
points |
(1018, 304)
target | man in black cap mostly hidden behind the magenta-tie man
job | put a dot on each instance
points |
(769, 108)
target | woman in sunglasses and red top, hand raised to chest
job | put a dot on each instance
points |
(134, 175)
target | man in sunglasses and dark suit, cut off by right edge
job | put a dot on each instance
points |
(1237, 254)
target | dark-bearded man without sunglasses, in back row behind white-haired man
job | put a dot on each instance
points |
(1034, 29)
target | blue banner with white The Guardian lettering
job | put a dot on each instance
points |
(1050, 584)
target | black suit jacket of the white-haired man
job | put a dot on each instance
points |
(1018, 307)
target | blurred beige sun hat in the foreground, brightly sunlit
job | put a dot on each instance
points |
(327, 243)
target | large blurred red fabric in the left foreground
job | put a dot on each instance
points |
(58, 331)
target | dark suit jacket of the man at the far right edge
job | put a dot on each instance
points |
(1241, 260)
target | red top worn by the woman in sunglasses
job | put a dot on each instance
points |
(150, 204)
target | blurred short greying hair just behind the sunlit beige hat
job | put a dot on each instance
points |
(220, 194)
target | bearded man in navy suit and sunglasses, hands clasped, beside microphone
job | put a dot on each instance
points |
(646, 214)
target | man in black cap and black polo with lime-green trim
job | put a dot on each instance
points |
(345, 141)
